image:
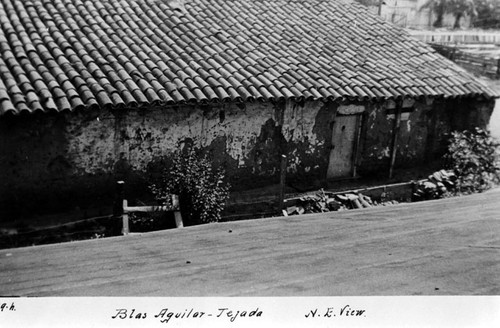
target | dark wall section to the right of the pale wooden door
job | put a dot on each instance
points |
(423, 133)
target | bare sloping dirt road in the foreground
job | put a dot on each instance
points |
(444, 247)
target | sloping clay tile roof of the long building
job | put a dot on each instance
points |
(71, 54)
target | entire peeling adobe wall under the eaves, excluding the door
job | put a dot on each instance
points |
(61, 161)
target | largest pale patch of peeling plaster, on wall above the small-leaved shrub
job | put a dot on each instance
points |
(138, 137)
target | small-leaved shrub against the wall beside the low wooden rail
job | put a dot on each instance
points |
(201, 188)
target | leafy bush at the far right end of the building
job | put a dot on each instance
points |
(474, 157)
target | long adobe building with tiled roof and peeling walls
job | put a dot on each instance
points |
(97, 91)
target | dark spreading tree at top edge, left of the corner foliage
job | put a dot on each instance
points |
(458, 8)
